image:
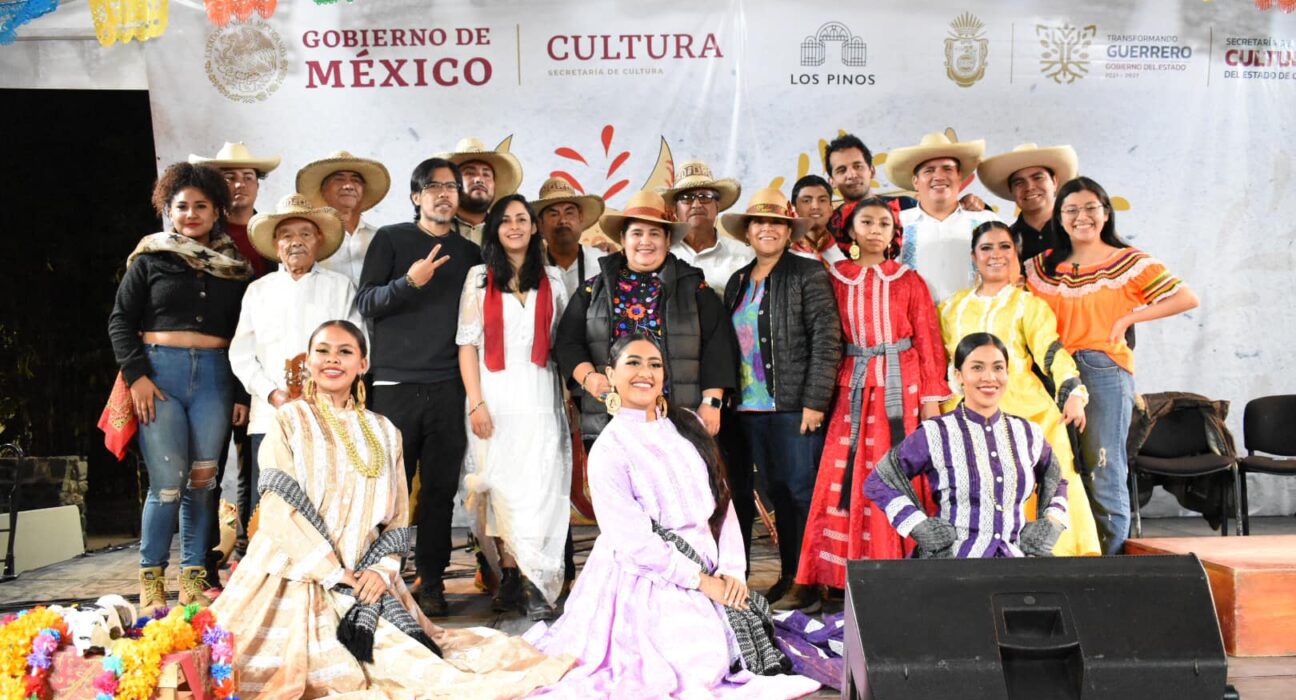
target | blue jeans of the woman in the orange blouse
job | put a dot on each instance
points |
(1102, 445)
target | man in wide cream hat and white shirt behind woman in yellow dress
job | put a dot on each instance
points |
(938, 234)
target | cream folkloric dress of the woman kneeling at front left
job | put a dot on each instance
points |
(284, 618)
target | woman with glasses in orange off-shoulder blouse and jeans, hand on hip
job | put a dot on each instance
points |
(1098, 286)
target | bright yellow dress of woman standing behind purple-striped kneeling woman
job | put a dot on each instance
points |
(1030, 330)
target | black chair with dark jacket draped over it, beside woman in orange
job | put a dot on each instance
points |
(1177, 448)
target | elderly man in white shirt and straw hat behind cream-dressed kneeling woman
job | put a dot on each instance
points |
(283, 309)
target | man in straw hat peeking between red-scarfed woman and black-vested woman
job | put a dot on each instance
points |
(562, 216)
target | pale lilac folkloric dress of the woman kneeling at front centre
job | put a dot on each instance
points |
(636, 618)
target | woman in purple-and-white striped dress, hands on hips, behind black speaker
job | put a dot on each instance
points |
(982, 466)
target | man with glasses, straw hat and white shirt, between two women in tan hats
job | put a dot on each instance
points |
(698, 200)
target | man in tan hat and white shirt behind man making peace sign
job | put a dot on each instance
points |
(351, 186)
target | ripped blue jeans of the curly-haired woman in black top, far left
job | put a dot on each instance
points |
(181, 450)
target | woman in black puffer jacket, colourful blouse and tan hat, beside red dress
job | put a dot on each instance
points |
(790, 344)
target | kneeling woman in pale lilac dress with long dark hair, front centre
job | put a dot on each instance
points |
(653, 614)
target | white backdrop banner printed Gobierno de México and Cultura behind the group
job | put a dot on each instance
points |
(1180, 108)
